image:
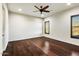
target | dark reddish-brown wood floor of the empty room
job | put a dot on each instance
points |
(40, 46)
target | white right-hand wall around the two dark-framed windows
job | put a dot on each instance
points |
(60, 26)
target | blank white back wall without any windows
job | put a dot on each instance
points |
(23, 26)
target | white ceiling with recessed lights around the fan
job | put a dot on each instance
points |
(28, 8)
